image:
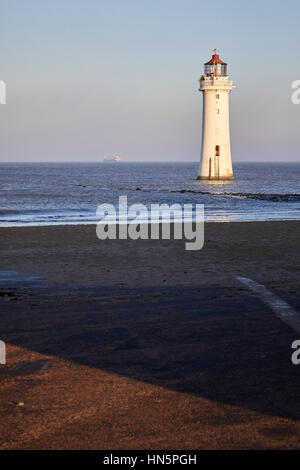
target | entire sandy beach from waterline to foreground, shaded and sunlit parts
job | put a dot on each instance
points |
(143, 345)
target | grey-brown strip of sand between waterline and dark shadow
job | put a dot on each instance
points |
(73, 255)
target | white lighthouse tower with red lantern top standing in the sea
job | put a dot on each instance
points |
(215, 148)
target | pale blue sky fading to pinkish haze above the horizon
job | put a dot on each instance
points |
(87, 78)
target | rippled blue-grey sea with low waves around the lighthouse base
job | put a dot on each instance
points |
(69, 193)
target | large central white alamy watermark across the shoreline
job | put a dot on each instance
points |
(160, 221)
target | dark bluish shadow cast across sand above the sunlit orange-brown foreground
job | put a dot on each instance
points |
(213, 342)
